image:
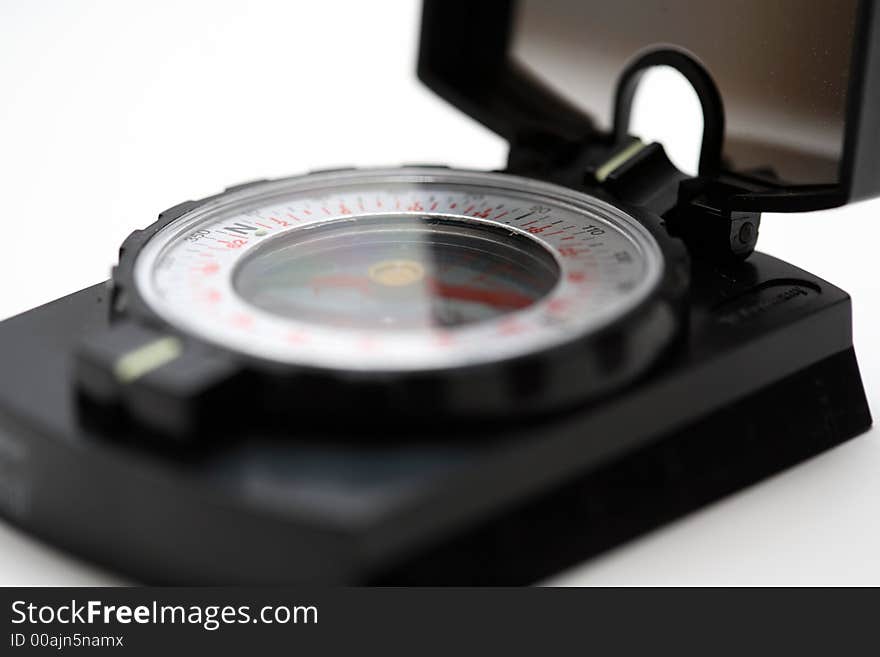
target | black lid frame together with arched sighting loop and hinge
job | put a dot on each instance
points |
(465, 57)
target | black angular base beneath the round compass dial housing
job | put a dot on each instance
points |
(765, 378)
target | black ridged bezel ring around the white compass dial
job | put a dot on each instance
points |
(544, 379)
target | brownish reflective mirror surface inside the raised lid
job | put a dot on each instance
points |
(781, 66)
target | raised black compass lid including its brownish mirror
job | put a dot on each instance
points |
(467, 57)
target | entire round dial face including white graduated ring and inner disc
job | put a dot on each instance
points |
(407, 269)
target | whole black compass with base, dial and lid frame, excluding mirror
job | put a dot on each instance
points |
(429, 375)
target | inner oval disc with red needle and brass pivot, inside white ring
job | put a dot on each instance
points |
(397, 272)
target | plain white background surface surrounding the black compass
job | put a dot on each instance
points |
(114, 111)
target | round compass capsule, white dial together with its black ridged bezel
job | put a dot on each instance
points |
(499, 293)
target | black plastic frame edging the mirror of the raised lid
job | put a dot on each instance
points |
(464, 58)
